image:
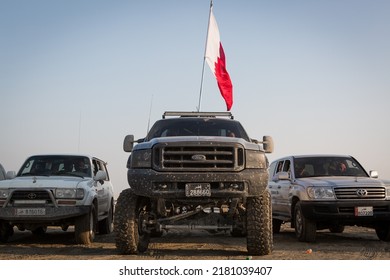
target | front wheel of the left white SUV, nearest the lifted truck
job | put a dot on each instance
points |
(85, 227)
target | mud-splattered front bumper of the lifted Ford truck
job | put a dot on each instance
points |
(150, 183)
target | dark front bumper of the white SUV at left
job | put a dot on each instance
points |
(42, 214)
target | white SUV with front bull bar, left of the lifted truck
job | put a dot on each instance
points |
(58, 190)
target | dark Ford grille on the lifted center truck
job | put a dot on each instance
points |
(198, 158)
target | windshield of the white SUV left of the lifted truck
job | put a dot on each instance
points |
(78, 166)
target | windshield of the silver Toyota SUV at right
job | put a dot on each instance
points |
(327, 166)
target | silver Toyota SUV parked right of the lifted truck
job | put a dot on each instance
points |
(317, 192)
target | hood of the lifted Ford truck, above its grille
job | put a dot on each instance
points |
(198, 140)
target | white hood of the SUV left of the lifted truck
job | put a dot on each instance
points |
(43, 182)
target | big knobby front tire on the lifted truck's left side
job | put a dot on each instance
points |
(129, 236)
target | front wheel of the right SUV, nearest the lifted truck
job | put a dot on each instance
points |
(305, 229)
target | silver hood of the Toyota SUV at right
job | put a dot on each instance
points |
(342, 182)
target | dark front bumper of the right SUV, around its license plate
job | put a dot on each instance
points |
(343, 212)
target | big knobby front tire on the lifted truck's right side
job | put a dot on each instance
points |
(259, 225)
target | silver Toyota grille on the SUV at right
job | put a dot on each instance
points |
(360, 193)
